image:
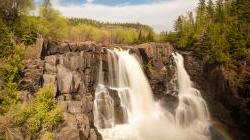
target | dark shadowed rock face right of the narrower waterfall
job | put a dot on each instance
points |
(223, 97)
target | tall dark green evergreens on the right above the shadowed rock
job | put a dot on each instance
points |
(220, 31)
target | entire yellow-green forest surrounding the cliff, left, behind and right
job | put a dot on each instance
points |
(219, 31)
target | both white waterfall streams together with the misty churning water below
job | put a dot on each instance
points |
(124, 107)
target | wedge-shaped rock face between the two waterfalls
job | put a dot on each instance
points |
(160, 69)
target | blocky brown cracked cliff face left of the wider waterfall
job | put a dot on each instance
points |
(73, 73)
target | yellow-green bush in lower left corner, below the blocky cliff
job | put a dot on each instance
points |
(41, 113)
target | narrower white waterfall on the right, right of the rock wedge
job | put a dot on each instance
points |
(192, 109)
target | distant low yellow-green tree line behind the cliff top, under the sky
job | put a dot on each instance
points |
(117, 33)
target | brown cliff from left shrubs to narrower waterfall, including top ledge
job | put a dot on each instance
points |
(73, 69)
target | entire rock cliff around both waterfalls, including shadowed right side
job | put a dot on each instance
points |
(73, 69)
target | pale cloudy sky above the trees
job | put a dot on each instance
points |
(159, 14)
